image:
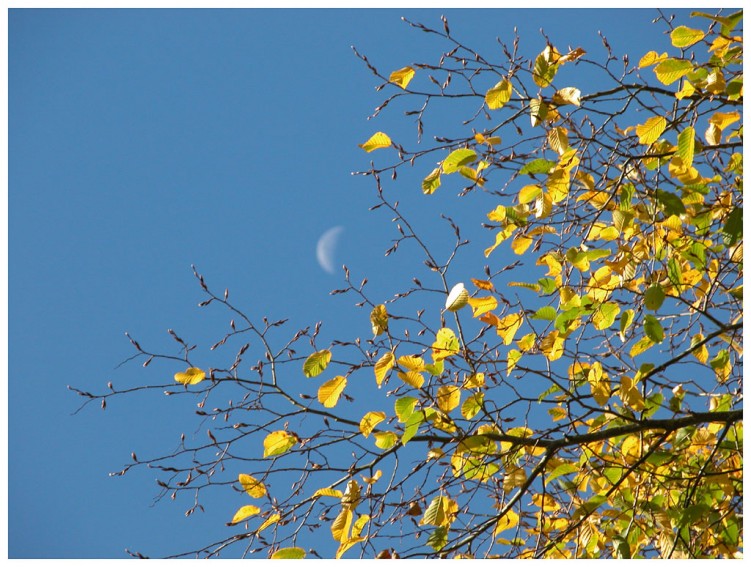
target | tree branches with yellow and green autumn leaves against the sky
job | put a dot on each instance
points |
(582, 400)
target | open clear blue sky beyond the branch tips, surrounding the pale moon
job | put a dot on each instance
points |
(142, 142)
